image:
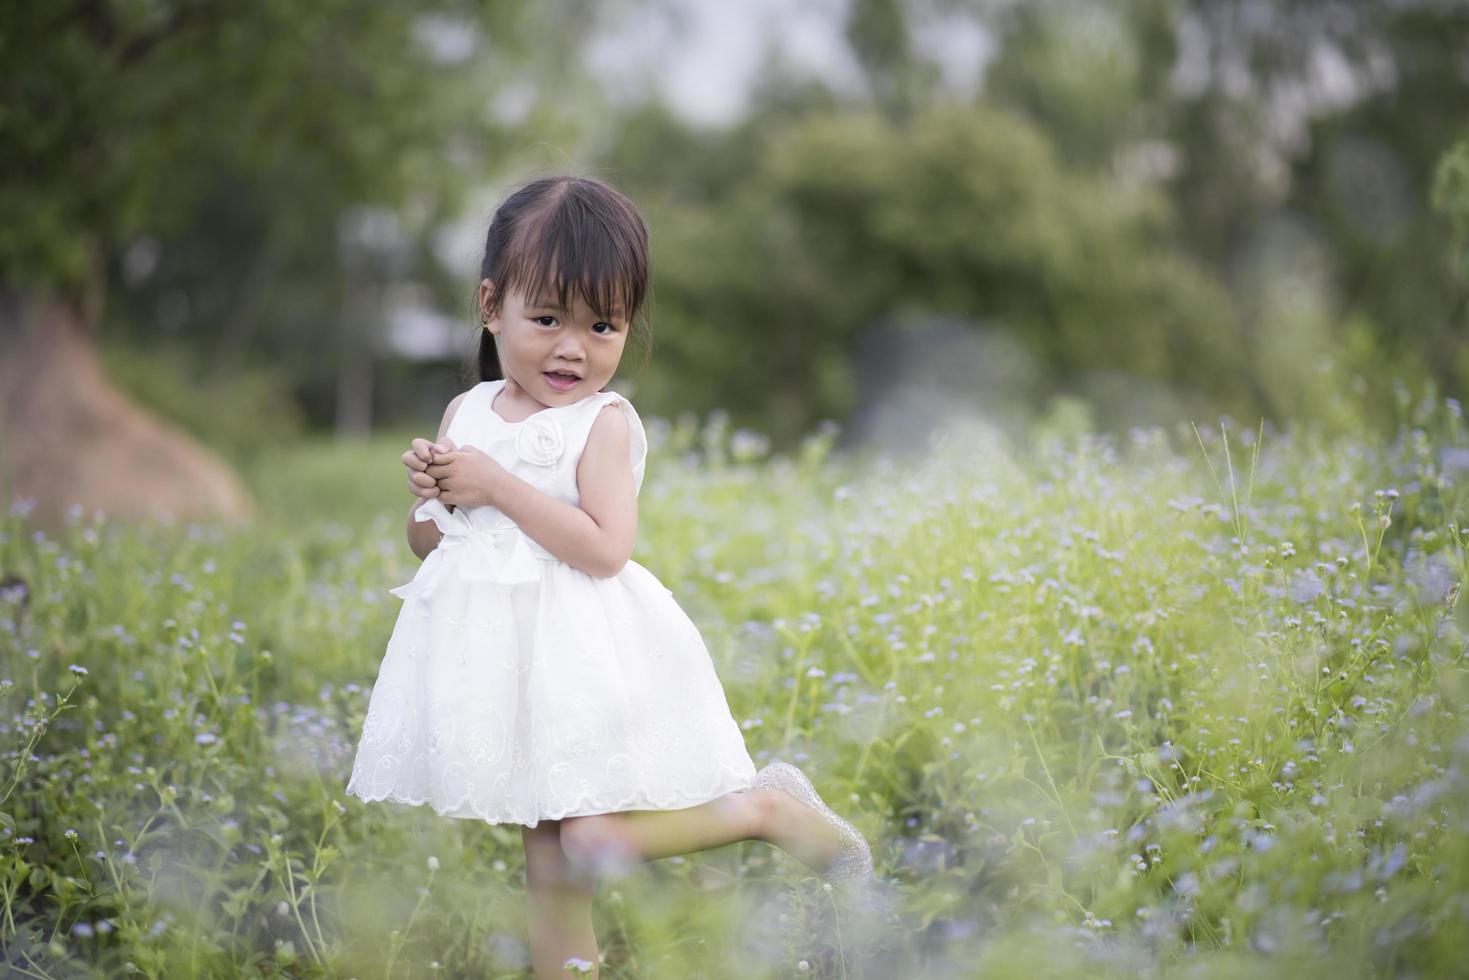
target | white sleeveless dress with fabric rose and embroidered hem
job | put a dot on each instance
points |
(518, 688)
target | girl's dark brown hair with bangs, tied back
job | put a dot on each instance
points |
(566, 233)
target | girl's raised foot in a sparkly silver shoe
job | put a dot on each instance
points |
(807, 829)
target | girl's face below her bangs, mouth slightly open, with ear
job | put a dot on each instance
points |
(556, 356)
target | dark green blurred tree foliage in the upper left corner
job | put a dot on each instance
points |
(124, 118)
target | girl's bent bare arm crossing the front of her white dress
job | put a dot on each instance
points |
(599, 536)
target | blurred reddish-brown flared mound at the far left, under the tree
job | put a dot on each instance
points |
(70, 439)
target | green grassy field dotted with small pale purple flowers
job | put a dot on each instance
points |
(1185, 705)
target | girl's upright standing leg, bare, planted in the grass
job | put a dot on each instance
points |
(559, 906)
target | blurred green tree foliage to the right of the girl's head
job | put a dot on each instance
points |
(1163, 189)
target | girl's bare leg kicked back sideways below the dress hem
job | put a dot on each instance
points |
(618, 841)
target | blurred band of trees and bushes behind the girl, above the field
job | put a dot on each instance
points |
(1163, 208)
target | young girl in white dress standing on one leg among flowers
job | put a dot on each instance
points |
(537, 675)
